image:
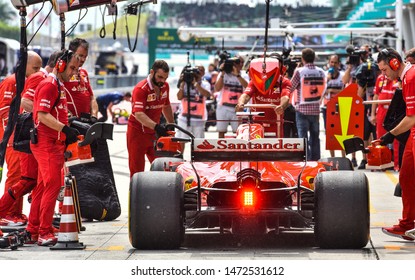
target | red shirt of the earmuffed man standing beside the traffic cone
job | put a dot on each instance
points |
(45, 97)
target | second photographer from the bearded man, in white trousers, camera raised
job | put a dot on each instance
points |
(230, 84)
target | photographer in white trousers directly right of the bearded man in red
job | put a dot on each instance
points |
(193, 92)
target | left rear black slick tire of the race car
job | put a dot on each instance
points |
(156, 216)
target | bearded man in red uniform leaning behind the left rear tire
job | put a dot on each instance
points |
(150, 99)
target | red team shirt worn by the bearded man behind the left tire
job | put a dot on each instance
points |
(144, 99)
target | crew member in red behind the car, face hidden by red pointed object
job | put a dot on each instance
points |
(279, 95)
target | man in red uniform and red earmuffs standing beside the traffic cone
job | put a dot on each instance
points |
(50, 116)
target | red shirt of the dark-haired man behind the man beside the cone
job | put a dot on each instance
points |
(79, 93)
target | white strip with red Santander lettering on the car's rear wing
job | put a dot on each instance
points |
(256, 145)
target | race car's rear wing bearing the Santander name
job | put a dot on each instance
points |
(263, 149)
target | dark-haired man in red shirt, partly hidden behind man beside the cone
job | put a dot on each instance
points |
(80, 96)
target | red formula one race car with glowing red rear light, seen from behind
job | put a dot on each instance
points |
(247, 185)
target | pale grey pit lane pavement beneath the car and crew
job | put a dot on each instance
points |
(109, 240)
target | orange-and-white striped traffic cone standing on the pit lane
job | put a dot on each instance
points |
(68, 229)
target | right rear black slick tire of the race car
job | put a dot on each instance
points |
(342, 210)
